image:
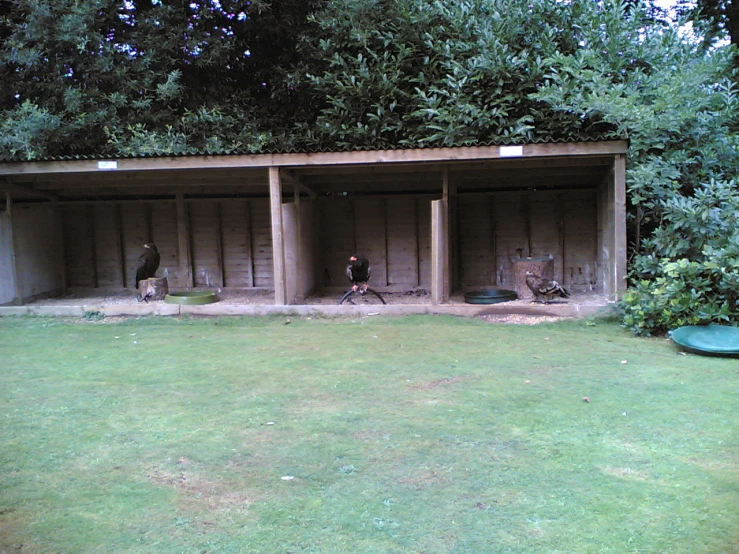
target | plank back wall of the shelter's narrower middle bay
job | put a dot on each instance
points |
(394, 233)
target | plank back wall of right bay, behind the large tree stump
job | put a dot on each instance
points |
(495, 229)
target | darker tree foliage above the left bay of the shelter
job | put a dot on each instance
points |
(110, 72)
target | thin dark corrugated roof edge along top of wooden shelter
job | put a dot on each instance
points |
(295, 150)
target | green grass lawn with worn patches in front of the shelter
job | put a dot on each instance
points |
(400, 435)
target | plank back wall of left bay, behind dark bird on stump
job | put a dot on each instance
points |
(231, 242)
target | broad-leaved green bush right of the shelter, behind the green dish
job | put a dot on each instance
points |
(689, 274)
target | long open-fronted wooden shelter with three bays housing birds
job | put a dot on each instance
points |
(441, 219)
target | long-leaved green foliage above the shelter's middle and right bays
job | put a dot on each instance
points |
(430, 72)
